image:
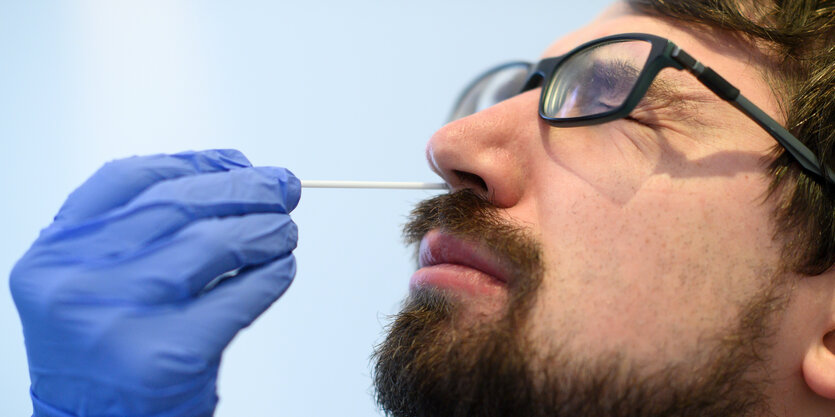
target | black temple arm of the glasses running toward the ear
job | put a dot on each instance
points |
(728, 92)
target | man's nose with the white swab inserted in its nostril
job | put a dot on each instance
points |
(488, 152)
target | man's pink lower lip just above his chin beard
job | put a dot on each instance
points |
(457, 279)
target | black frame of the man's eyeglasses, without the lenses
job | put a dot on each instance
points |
(665, 54)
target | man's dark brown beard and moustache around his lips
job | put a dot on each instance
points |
(434, 363)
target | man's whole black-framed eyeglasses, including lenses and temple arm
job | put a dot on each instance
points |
(603, 80)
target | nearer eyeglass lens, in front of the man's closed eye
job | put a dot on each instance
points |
(596, 80)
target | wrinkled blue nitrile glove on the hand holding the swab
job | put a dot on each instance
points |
(112, 295)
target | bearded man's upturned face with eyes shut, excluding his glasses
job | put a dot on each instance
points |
(654, 247)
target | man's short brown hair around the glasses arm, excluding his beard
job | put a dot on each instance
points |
(798, 36)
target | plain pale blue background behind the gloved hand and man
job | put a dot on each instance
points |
(330, 89)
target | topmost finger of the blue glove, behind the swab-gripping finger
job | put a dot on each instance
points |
(119, 181)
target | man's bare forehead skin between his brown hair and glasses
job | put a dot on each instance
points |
(726, 55)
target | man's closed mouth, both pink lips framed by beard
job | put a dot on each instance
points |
(459, 266)
